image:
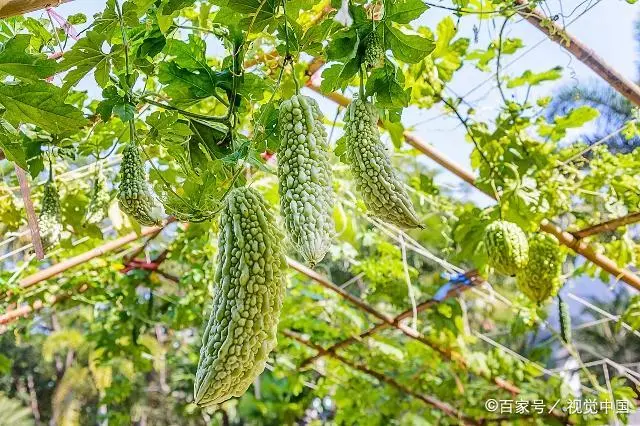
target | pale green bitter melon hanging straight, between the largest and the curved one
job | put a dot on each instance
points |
(304, 171)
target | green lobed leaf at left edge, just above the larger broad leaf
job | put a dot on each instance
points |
(16, 62)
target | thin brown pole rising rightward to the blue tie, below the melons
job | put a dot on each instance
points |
(454, 292)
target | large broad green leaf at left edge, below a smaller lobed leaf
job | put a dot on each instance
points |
(43, 105)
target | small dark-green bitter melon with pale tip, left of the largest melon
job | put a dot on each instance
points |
(134, 196)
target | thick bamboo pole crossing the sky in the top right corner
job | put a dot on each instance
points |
(581, 51)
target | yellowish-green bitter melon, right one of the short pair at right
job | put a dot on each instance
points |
(540, 278)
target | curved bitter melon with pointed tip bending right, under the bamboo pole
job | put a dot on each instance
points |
(376, 180)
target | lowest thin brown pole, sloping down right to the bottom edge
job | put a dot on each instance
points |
(429, 400)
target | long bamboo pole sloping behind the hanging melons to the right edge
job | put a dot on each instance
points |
(564, 237)
